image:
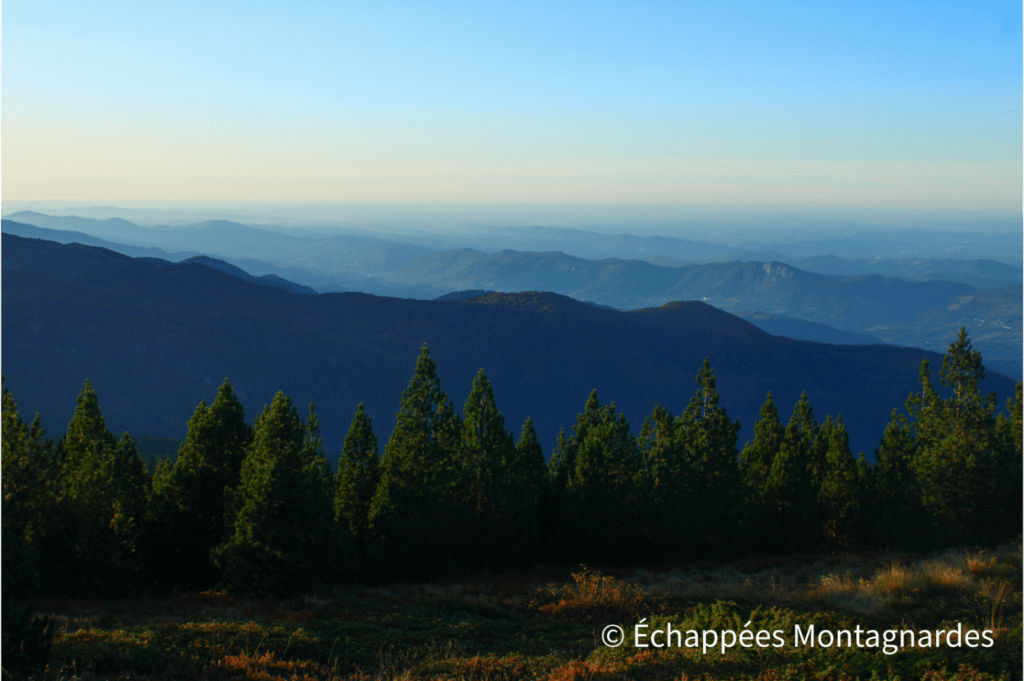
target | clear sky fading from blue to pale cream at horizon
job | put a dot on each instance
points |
(870, 105)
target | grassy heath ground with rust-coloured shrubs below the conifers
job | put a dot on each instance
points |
(547, 625)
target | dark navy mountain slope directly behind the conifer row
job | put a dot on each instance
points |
(155, 340)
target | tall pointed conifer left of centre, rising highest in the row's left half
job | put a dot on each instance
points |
(416, 514)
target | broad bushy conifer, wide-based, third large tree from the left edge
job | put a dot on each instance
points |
(282, 534)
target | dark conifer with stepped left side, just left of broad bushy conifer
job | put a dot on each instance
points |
(187, 520)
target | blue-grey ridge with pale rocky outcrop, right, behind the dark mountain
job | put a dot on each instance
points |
(899, 313)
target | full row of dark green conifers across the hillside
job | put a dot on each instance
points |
(257, 508)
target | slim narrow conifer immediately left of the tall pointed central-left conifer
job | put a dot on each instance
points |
(359, 475)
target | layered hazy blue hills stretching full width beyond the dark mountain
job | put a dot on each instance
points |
(923, 310)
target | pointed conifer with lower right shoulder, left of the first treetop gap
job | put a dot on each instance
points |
(102, 505)
